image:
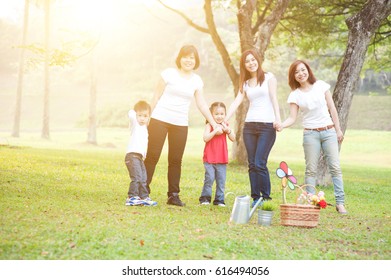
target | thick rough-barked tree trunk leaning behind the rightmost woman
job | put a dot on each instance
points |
(362, 27)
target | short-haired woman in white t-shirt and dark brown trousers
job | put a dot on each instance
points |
(170, 113)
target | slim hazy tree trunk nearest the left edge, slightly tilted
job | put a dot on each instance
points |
(18, 107)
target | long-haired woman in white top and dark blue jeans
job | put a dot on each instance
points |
(262, 118)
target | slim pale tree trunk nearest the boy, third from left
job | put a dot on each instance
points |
(92, 116)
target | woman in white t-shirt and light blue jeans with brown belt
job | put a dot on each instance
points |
(321, 131)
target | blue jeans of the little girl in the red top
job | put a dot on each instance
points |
(214, 172)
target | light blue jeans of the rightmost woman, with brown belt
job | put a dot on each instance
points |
(313, 143)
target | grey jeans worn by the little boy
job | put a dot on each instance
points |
(138, 175)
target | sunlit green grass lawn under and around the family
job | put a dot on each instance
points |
(64, 200)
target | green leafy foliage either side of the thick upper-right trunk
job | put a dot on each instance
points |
(316, 30)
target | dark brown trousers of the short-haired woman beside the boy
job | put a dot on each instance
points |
(177, 135)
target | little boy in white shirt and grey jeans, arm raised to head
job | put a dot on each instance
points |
(135, 155)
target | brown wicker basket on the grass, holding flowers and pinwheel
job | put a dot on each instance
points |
(300, 215)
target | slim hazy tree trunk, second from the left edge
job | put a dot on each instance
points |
(46, 112)
